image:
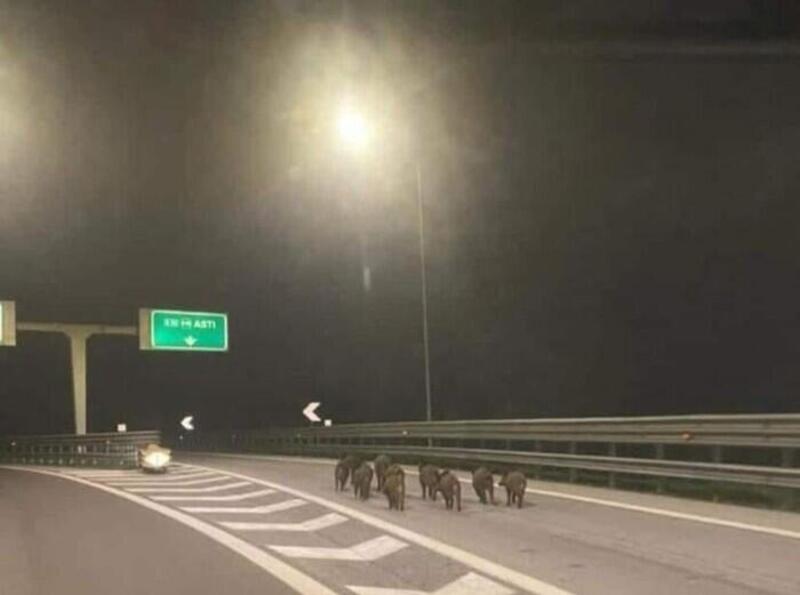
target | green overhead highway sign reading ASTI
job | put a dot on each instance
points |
(177, 330)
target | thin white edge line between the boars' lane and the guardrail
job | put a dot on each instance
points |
(765, 529)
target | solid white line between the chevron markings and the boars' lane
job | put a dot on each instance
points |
(482, 565)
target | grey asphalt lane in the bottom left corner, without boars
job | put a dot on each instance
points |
(60, 537)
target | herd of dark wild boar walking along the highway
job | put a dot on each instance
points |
(391, 481)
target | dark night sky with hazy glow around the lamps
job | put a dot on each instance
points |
(611, 215)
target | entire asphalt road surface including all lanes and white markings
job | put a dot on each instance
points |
(227, 524)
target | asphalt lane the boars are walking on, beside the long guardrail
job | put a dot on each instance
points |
(581, 546)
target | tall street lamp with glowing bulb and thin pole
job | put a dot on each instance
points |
(354, 133)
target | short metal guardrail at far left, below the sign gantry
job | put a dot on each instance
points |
(106, 450)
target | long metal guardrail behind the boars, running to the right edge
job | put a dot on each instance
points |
(694, 447)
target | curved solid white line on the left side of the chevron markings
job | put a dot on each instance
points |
(292, 577)
